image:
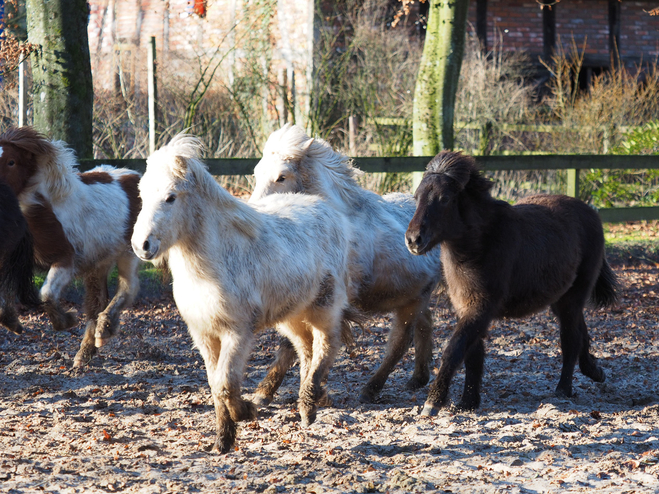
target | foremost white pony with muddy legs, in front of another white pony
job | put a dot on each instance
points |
(238, 268)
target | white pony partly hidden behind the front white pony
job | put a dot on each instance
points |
(385, 277)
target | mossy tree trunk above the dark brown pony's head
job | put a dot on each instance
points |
(437, 81)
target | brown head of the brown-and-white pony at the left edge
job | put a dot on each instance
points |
(22, 151)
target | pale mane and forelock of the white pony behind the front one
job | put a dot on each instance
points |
(320, 166)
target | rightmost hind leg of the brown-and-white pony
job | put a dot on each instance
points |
(128, 286)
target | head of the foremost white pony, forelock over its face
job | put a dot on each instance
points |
(167, 190)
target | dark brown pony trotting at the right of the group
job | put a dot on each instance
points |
(508, 261)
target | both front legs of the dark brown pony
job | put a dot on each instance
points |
(467, 334)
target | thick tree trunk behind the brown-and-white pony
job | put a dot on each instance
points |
(61, 70)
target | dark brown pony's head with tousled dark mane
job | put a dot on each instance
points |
(449, 178)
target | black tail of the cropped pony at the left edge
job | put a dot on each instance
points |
(17, 272)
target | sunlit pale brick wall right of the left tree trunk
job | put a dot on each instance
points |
(120, 31)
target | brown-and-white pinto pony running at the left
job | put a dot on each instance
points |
(81, 224)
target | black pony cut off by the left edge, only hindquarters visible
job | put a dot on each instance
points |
(16, 261)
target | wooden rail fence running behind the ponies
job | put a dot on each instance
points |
(572, 163)
